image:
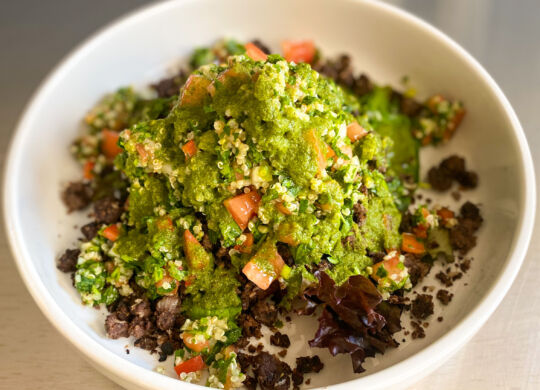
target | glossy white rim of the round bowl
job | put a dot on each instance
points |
(408, 370)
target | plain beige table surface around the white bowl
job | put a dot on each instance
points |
(503, 35)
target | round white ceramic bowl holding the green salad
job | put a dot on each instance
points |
(386, 43)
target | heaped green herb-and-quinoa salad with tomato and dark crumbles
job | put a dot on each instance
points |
(254, 185)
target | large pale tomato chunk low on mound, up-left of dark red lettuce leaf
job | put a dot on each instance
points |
(264, 267)
